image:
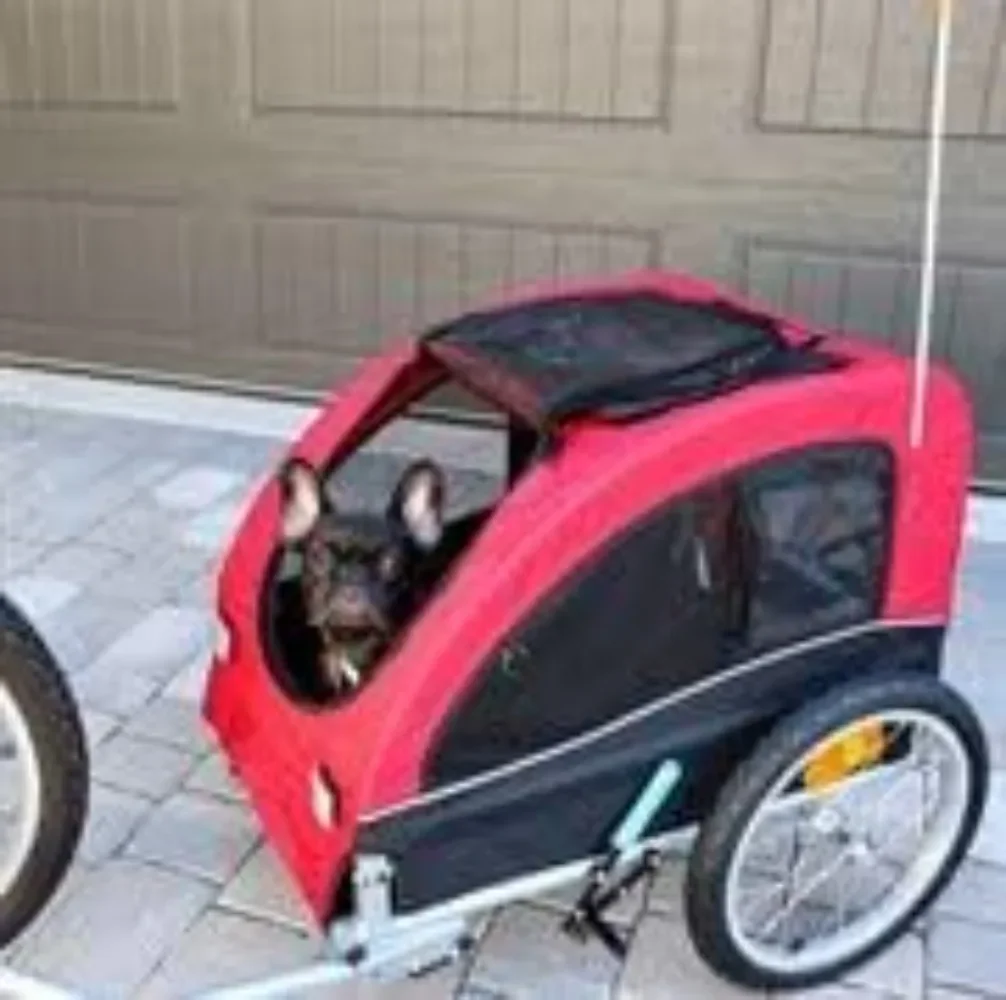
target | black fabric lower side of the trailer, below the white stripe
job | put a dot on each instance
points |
(566, 806)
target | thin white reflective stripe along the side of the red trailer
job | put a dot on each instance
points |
(700, 688)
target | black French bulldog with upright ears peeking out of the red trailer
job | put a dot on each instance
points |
(363, 574)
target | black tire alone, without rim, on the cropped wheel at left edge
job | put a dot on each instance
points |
(33, 679)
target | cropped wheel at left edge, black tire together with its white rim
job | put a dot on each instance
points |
(44, 774)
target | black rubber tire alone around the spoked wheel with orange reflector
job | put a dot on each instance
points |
(792, 738)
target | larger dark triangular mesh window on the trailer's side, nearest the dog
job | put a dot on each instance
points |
(642, 619)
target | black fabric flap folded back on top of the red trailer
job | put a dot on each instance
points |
(620, 357)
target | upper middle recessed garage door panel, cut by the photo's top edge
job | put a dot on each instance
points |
(555, 60)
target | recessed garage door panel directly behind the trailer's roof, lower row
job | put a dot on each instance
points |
(350, 283)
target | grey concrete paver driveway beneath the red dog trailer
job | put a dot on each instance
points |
(110, 532)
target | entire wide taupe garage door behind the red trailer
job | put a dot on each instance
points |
(259, 192)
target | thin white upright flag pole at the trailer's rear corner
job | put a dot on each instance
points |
(931, 235)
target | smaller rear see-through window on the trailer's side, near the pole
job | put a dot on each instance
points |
(820, 526)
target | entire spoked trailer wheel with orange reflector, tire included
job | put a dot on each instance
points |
(840, 830)
